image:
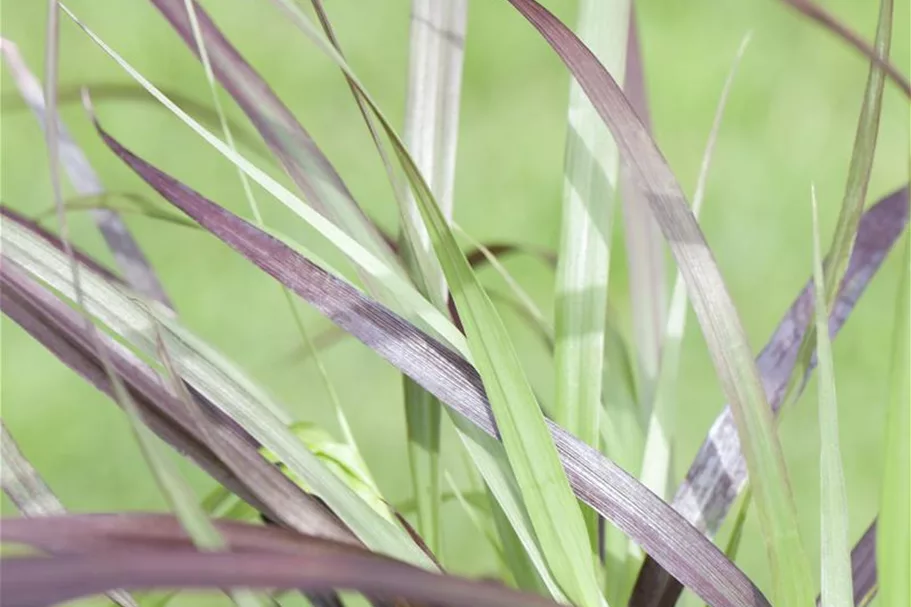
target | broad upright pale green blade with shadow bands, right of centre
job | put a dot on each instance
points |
(591, 166)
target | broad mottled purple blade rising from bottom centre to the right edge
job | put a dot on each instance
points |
(718, 473)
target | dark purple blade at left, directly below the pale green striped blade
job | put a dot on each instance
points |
(62, 331)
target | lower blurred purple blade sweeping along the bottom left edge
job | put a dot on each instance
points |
(31, 582)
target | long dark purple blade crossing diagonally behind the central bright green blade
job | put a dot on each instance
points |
(596, 480)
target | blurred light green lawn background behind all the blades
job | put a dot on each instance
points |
(790, 121)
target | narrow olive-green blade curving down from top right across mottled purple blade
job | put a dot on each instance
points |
(852, 204)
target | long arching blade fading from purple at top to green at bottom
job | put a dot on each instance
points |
(711, 301)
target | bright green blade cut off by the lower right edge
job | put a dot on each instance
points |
(893, 535)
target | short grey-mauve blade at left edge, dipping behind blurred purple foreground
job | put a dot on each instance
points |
(31, 495)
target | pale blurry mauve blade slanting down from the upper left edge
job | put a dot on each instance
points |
(129, 258)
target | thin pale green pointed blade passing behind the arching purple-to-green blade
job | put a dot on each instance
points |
(657, 460)
